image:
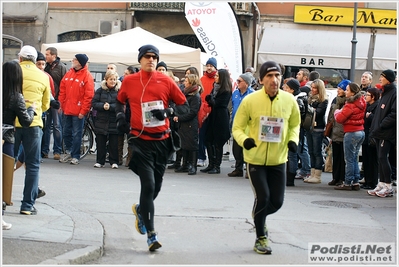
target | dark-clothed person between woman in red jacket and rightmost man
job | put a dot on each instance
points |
(369, 153)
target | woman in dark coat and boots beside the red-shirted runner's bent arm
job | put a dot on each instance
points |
(188, 125)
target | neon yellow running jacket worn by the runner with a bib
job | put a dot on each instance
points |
(258, 104)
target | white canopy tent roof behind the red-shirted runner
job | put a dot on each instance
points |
(122, 48)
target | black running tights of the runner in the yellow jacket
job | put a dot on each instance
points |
(268, 183)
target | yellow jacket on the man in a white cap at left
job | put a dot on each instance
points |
(36, 89)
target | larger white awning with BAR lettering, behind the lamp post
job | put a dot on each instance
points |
(310, 46)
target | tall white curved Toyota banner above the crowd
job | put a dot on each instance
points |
(216, 27)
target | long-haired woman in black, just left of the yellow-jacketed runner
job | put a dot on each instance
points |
(218, 131)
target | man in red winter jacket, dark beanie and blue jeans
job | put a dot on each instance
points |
(76, 93)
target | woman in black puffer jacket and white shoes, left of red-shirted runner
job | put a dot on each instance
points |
(104, 102)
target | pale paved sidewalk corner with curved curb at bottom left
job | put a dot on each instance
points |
(52, 237)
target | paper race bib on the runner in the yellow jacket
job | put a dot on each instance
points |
(270, 129)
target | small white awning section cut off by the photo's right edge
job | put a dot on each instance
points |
(385, 52)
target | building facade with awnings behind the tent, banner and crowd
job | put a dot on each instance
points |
(270, 31)
